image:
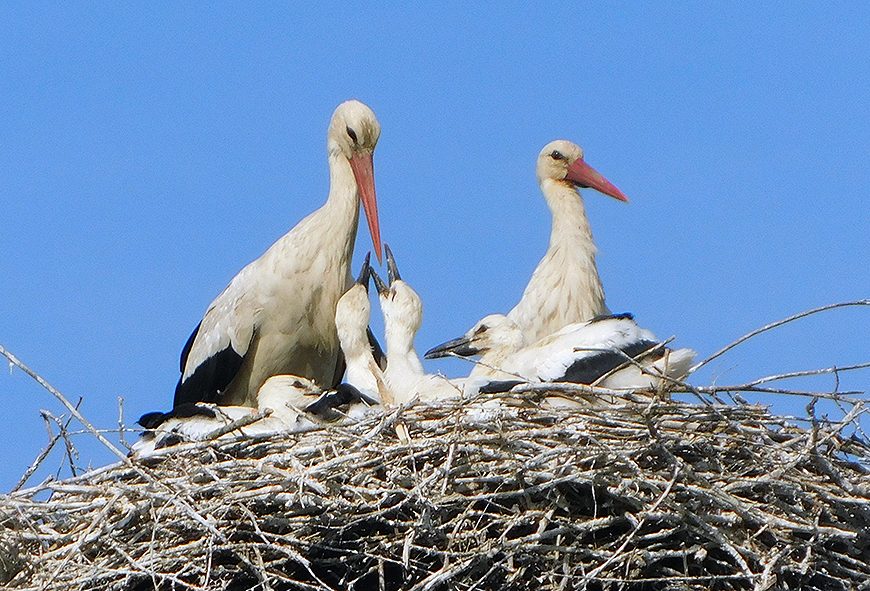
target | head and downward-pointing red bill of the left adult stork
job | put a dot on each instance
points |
(353, 133)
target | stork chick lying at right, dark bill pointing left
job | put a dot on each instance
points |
(610, 351)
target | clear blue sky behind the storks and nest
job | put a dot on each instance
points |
(148, 153)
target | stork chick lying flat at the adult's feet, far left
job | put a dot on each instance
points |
(294, 404)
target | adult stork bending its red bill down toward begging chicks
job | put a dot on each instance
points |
(277, 316)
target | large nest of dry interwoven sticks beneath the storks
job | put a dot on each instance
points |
(459, 495)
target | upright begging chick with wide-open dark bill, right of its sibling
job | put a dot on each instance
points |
(403, 315)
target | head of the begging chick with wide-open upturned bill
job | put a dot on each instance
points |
(401, 306)
